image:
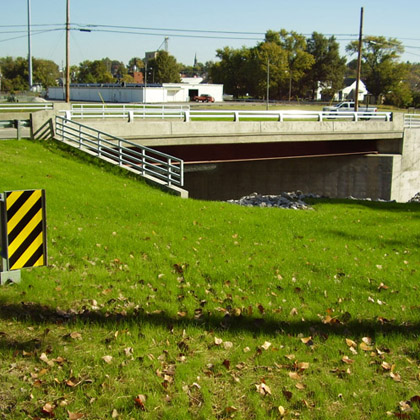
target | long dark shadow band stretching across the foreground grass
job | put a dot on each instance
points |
(268, 325)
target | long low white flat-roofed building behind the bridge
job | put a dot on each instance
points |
(155, 93)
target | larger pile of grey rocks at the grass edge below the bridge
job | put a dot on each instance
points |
(286, 200)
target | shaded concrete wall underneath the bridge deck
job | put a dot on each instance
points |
(339, 177)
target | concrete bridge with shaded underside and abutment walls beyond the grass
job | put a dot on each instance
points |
(223, 160)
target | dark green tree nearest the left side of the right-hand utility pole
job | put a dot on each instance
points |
(328, 69)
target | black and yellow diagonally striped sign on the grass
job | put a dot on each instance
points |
(25, 229)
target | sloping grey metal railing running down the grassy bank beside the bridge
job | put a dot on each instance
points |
(139, 159)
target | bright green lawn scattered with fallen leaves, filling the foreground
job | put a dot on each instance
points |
(208, 310)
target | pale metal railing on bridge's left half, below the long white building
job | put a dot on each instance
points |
(129, 111)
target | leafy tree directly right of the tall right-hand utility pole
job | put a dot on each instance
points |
(381, 70)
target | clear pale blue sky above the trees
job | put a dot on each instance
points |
(122, 29)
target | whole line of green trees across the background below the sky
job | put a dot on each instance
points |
(286, 65)
